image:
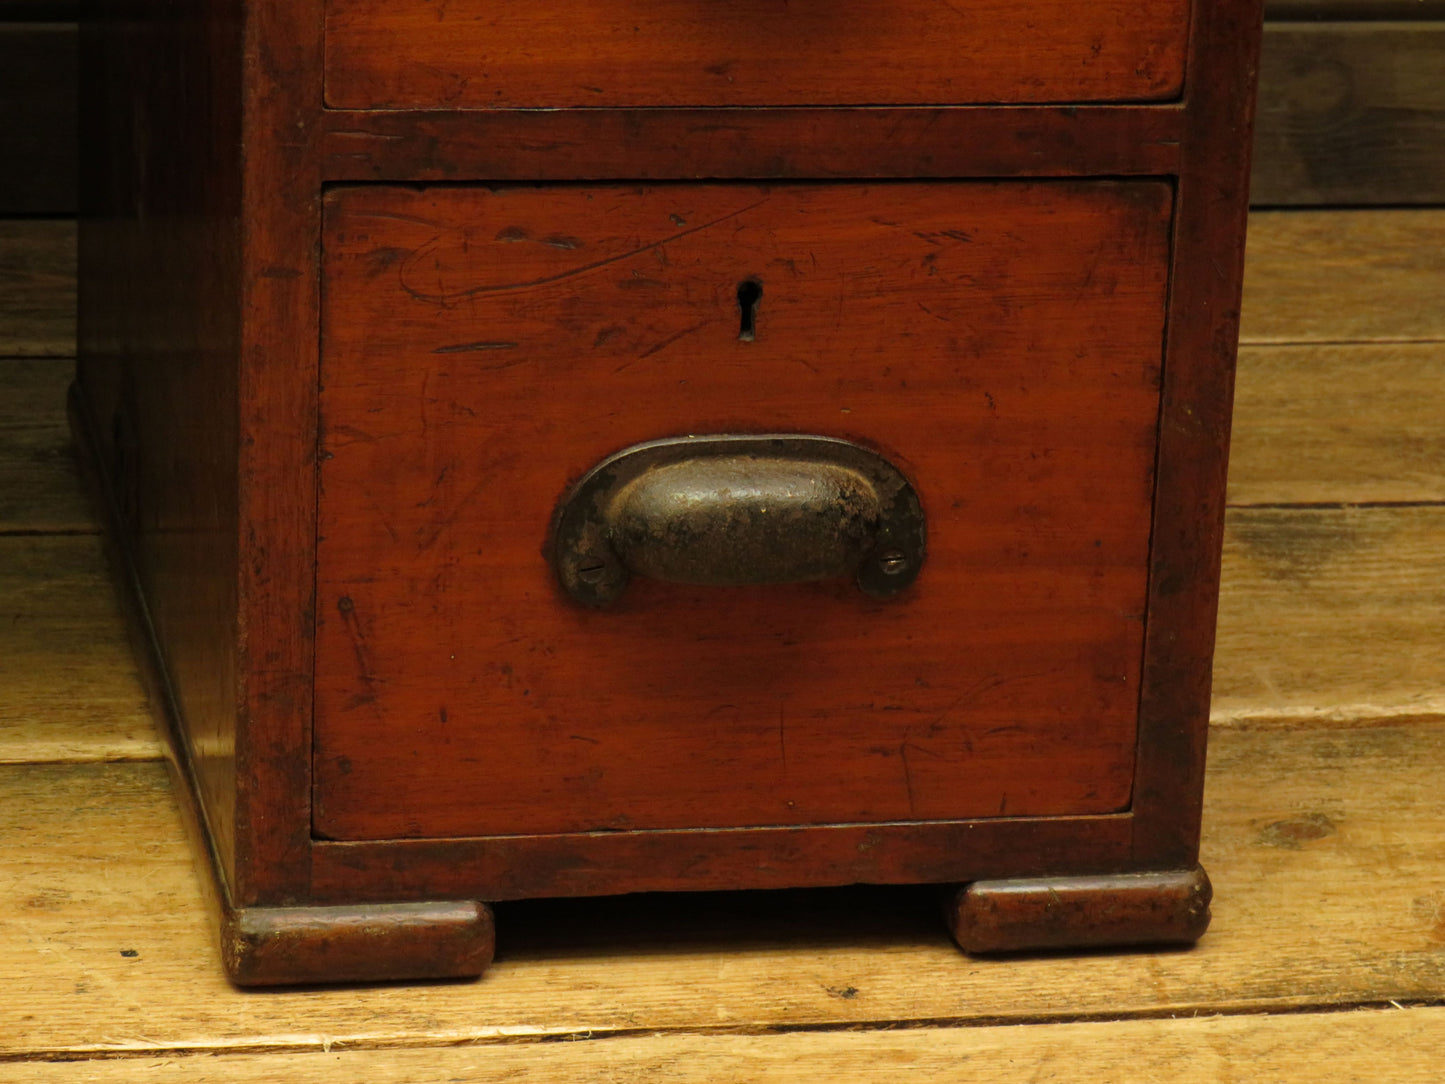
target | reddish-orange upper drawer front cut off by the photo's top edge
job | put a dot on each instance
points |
(478, 54)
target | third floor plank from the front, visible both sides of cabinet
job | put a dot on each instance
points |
(1327, 615)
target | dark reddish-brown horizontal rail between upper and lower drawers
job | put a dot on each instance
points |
(777, 144)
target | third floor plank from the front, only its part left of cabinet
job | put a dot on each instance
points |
(69, 684)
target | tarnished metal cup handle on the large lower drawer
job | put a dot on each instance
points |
(730, 511)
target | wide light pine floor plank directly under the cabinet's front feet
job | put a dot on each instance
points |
(1327, 848)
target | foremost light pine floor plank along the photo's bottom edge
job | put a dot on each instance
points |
(1399, 1046)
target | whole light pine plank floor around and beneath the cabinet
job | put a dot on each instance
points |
(1324, 819)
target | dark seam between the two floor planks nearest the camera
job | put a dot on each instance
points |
(322, 1044)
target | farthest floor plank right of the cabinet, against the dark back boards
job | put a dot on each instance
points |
(1343, 277)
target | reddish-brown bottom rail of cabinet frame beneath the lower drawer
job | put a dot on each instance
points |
(723, 859)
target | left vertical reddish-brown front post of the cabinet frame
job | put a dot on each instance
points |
(277, 385)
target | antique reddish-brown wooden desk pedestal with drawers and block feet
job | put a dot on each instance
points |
(592, 449)
